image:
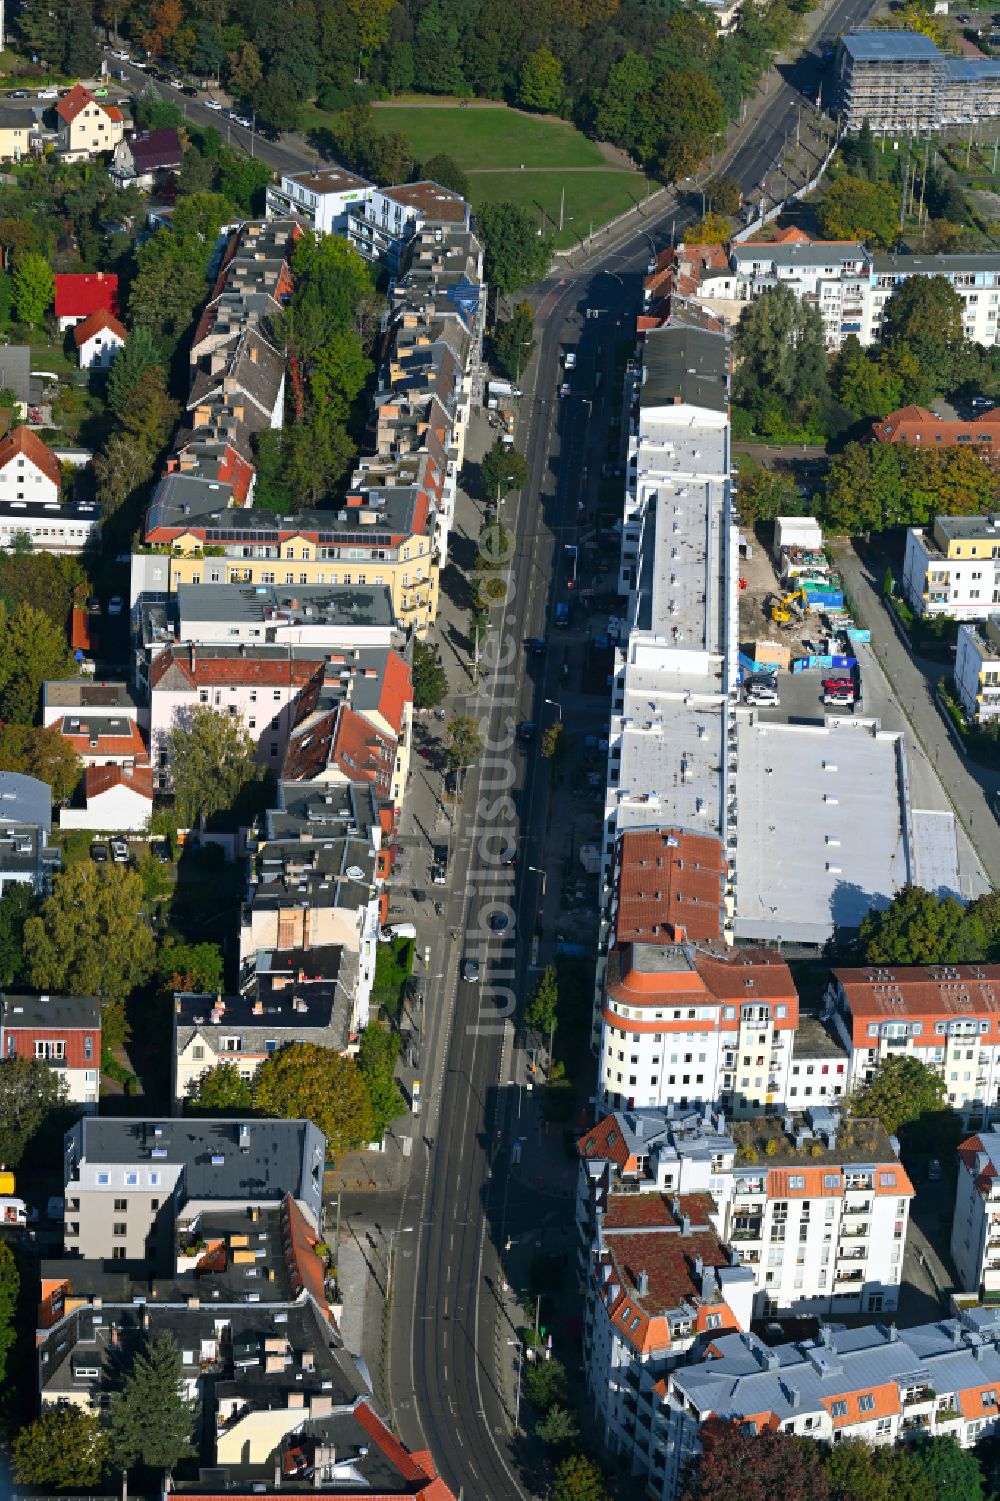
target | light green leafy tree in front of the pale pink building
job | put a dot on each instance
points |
(211, 760)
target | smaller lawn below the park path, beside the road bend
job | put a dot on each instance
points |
(591, 197)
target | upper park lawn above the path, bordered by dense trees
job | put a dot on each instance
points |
(489, 137)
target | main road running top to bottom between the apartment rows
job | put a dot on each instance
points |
(448, 1317)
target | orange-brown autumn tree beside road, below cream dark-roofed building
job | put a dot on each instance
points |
(307, 1081)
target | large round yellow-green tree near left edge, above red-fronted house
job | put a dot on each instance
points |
(91, 937)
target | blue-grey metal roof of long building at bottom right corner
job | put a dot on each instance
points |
(747, 1377)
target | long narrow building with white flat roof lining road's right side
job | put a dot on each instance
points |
(676, 664)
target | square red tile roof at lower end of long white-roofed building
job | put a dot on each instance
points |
(669, 888)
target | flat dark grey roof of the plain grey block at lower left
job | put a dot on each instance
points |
(223, 1160)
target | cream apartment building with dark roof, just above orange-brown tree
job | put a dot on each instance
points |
(295, 996)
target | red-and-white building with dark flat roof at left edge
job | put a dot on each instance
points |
(64, 1032)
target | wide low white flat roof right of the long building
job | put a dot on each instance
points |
(822, 826)
